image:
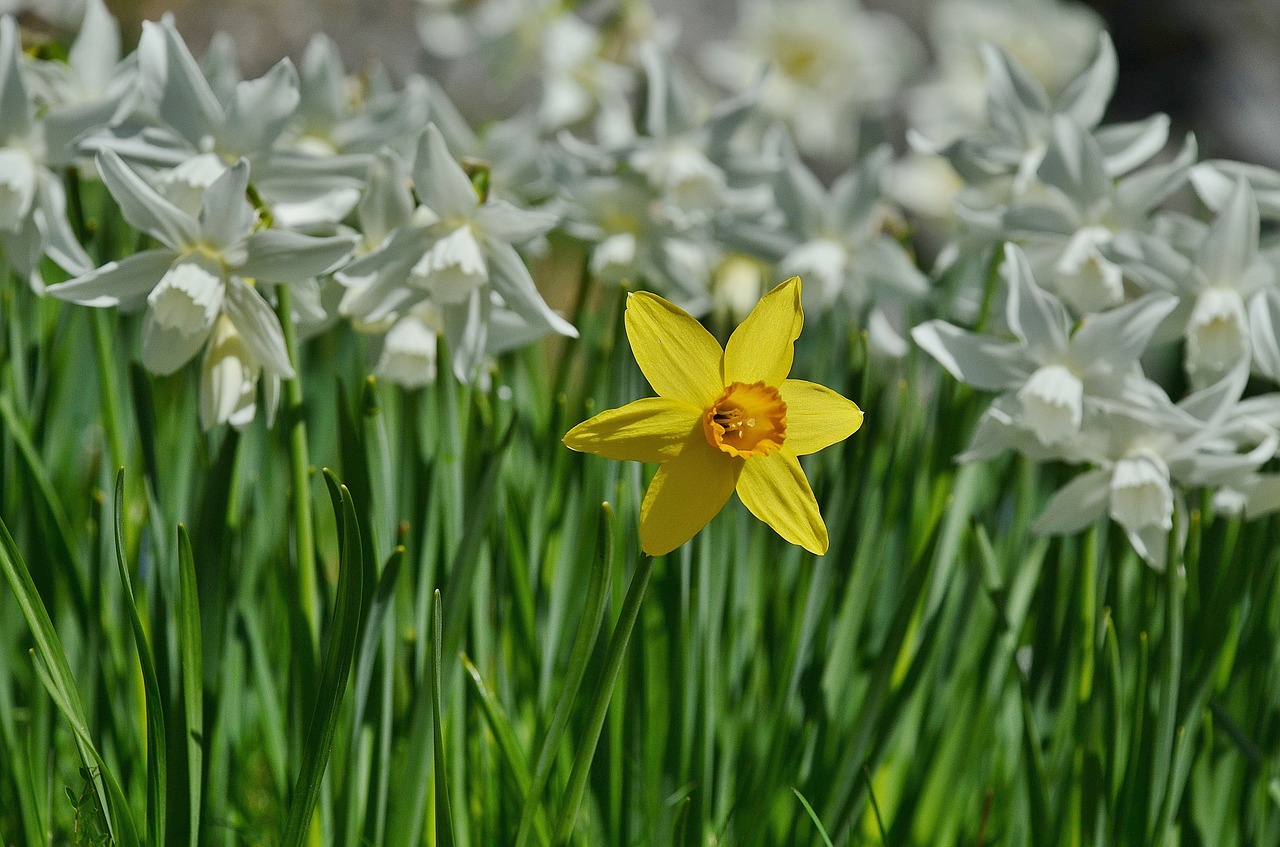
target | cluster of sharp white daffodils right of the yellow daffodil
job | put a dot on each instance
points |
(1104, 283)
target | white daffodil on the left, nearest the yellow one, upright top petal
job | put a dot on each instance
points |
(454, 251)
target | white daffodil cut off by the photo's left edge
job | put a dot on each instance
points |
(33, 199)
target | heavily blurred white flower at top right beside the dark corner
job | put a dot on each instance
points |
(1054, 42)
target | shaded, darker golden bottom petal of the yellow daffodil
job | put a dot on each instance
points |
(685, 495)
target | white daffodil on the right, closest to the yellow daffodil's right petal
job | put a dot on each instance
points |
(1050, 378)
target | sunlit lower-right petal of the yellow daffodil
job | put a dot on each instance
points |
(776, 491)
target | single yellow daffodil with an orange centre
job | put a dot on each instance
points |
(724, 420)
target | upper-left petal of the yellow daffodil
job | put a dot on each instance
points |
(679, 358)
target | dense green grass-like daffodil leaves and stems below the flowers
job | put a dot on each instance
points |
(474, 653)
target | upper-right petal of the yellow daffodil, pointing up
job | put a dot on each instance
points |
(761, 349)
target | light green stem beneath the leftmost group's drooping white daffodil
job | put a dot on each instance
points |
(300, 468)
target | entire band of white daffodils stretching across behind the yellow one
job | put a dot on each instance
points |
(382, 205)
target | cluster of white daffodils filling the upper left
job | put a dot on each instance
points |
(250, 185)
